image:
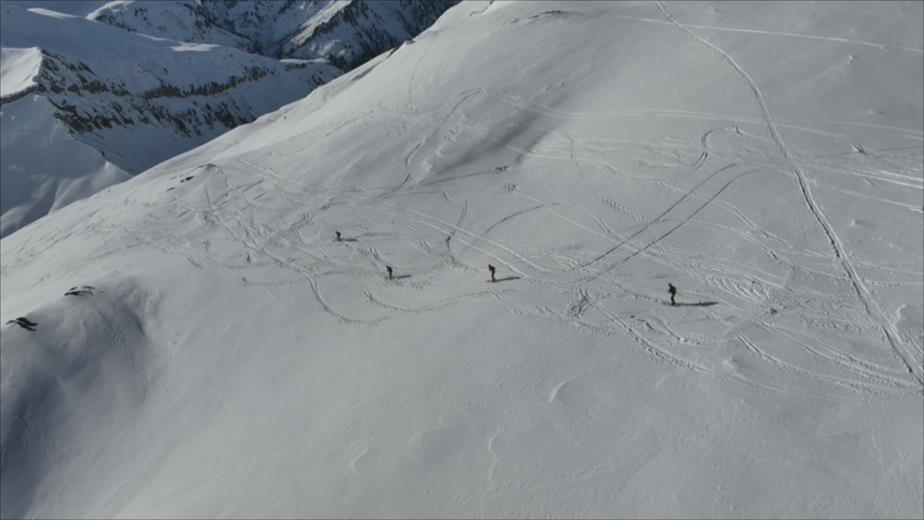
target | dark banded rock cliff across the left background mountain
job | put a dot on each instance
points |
(104, 103)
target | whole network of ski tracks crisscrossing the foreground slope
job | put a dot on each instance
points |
(590, 286)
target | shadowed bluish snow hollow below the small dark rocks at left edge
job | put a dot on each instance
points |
(70, 354)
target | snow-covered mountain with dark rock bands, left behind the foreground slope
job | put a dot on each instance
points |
(129, 100)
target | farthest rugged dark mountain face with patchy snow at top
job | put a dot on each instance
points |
(344, 33)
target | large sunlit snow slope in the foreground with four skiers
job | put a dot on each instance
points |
(232, 359)
